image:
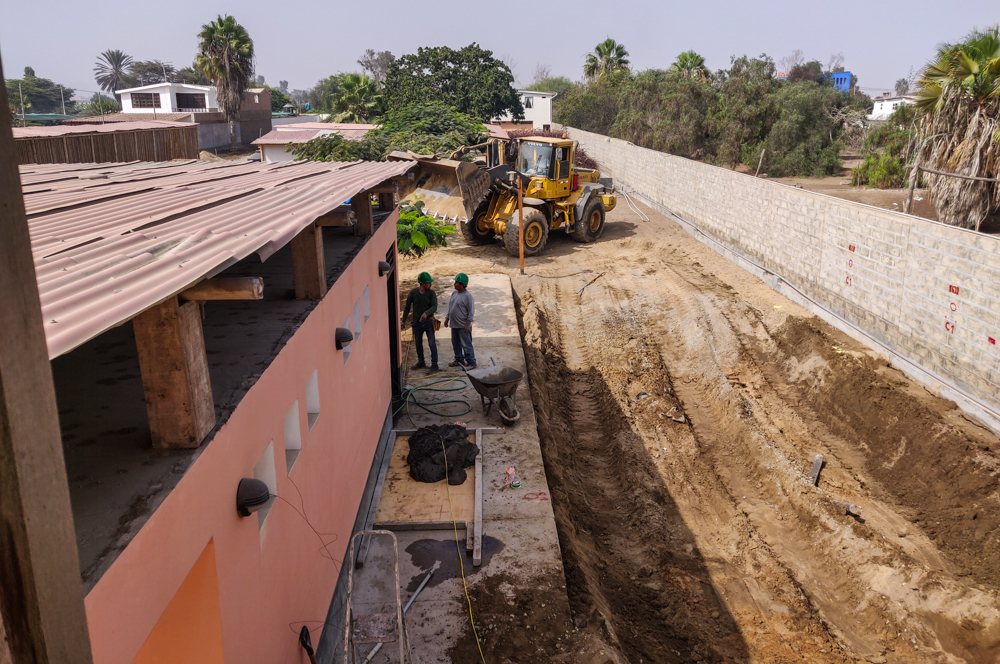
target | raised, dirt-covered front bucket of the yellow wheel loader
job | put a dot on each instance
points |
(451, 190)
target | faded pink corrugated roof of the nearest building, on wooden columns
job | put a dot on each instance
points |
(106, 249)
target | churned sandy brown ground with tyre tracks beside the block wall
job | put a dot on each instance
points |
(680, 405)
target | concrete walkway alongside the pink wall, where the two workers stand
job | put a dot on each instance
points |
(521, 545)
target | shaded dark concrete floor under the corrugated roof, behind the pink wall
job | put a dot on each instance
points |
(116, 479)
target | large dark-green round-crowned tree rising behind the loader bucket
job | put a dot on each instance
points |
(469, 79)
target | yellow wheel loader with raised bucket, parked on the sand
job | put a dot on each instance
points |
(483, 202)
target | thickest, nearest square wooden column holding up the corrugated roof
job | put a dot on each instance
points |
(174, 371)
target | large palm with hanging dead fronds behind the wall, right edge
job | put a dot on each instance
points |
(959, 95)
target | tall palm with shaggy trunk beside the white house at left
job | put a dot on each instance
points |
(225, 55)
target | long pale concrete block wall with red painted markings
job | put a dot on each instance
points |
(926, 292)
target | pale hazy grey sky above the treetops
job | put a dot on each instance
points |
(304, 41)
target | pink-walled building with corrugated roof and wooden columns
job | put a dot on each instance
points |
(177, 375)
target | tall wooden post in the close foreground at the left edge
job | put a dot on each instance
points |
(41, 597)
